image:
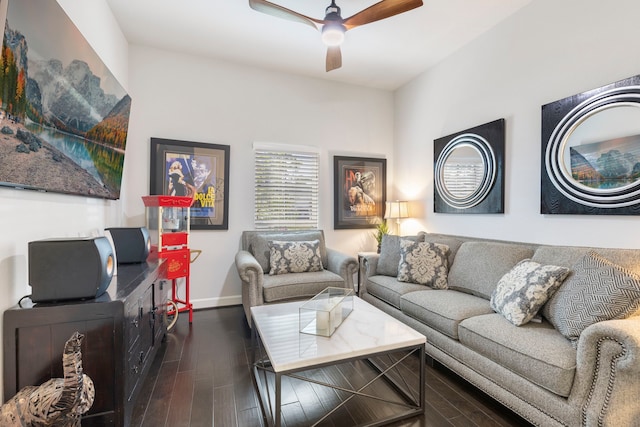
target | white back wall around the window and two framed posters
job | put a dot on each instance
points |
(189, 98)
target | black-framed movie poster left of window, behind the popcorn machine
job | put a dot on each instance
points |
(194, 169)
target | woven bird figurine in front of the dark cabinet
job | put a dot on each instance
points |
(58, 402)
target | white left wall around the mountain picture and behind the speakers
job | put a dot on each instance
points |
(29, 215)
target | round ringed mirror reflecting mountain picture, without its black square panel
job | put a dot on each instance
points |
(593, 154)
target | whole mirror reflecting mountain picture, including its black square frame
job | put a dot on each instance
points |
(591, 152)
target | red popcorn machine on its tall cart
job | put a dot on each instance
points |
(168, 222)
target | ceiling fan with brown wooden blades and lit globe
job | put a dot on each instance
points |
(333, 26)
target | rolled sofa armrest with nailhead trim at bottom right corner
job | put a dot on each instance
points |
(606, 387)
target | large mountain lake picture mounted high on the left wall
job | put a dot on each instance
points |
(64, 118)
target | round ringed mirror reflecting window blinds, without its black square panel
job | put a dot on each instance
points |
(465, 171)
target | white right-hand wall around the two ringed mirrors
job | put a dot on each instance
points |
(547, 51)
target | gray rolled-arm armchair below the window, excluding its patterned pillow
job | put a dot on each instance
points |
(259, 287)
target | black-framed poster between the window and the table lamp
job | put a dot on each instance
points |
(360, 190)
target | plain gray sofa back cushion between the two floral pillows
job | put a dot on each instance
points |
(478, 266)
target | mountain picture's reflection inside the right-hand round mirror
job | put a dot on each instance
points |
(607, 165)
